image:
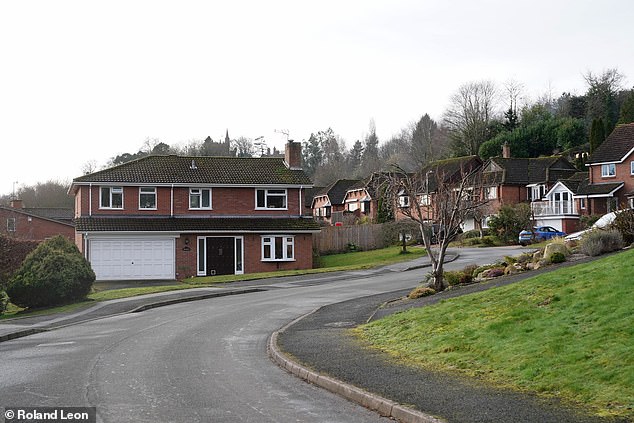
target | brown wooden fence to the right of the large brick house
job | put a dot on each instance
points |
(334, 239)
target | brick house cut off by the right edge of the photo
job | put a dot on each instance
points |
(611, 174)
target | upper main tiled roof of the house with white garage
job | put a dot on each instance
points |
(200, 170)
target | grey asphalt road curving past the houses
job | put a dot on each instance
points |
(199, 361)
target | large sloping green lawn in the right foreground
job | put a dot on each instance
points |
(568, 332)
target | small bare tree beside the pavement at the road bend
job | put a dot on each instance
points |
(439, 201)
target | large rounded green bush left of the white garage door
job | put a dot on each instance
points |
(54, 273)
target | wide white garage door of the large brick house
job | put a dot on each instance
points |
(120, 259)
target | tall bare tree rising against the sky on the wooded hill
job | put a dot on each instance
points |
(471, 110)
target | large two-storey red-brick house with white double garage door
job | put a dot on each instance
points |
(172, 217)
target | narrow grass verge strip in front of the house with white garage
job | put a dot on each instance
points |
(330, 263)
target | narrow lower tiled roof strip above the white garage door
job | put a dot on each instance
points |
(174, 224)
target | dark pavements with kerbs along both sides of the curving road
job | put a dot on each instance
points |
(319, 348)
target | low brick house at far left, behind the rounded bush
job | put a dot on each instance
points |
(35, 223)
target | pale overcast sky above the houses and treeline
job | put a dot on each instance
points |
(84, 80)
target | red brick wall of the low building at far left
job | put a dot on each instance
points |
(33, 228)
